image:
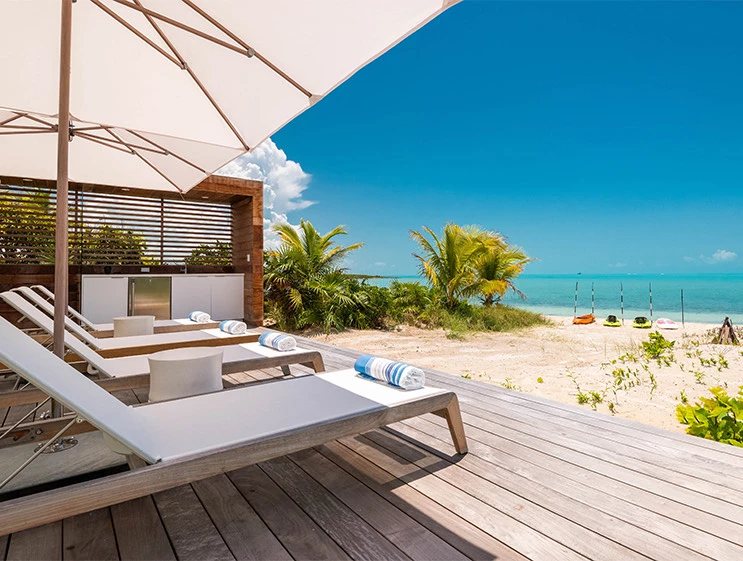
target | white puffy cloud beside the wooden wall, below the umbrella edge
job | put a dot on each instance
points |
(284, 182)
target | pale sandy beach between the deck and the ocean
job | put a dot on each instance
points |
(570, 359)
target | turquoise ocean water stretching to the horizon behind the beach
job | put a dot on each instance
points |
(707, 298)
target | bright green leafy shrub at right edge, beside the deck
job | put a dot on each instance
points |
(717, 418)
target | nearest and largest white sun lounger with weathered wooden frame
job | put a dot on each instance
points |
(197, 437)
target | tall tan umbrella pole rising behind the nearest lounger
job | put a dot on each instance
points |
(61, 258)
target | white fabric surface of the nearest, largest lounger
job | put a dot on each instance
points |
(200, 424)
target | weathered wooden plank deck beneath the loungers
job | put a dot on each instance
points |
(542, 481)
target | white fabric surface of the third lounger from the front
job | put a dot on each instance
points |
(43, 321)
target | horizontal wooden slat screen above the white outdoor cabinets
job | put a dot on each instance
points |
(108, 229)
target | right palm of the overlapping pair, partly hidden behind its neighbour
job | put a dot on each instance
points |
(498, 269)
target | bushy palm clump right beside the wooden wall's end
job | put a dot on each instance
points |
(304, 281)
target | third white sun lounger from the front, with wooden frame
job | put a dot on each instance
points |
(122, 346)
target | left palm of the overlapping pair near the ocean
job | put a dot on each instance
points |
(448, 262)
